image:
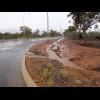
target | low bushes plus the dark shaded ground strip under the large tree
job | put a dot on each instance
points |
(92, 39)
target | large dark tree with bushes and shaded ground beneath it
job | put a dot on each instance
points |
(82, 23)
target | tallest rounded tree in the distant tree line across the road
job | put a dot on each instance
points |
(26, 31)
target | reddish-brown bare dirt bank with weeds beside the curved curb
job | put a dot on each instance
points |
(51, 73)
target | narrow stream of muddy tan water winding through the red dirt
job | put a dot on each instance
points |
(63, 60)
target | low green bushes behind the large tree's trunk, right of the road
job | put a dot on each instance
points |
(72, 33)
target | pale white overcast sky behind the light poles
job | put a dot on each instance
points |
(11, 21)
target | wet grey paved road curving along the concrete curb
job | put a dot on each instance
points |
(11, 53)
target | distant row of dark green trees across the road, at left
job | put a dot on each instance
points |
(26, 32)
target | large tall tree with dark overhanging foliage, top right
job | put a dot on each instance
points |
(84, 20)
